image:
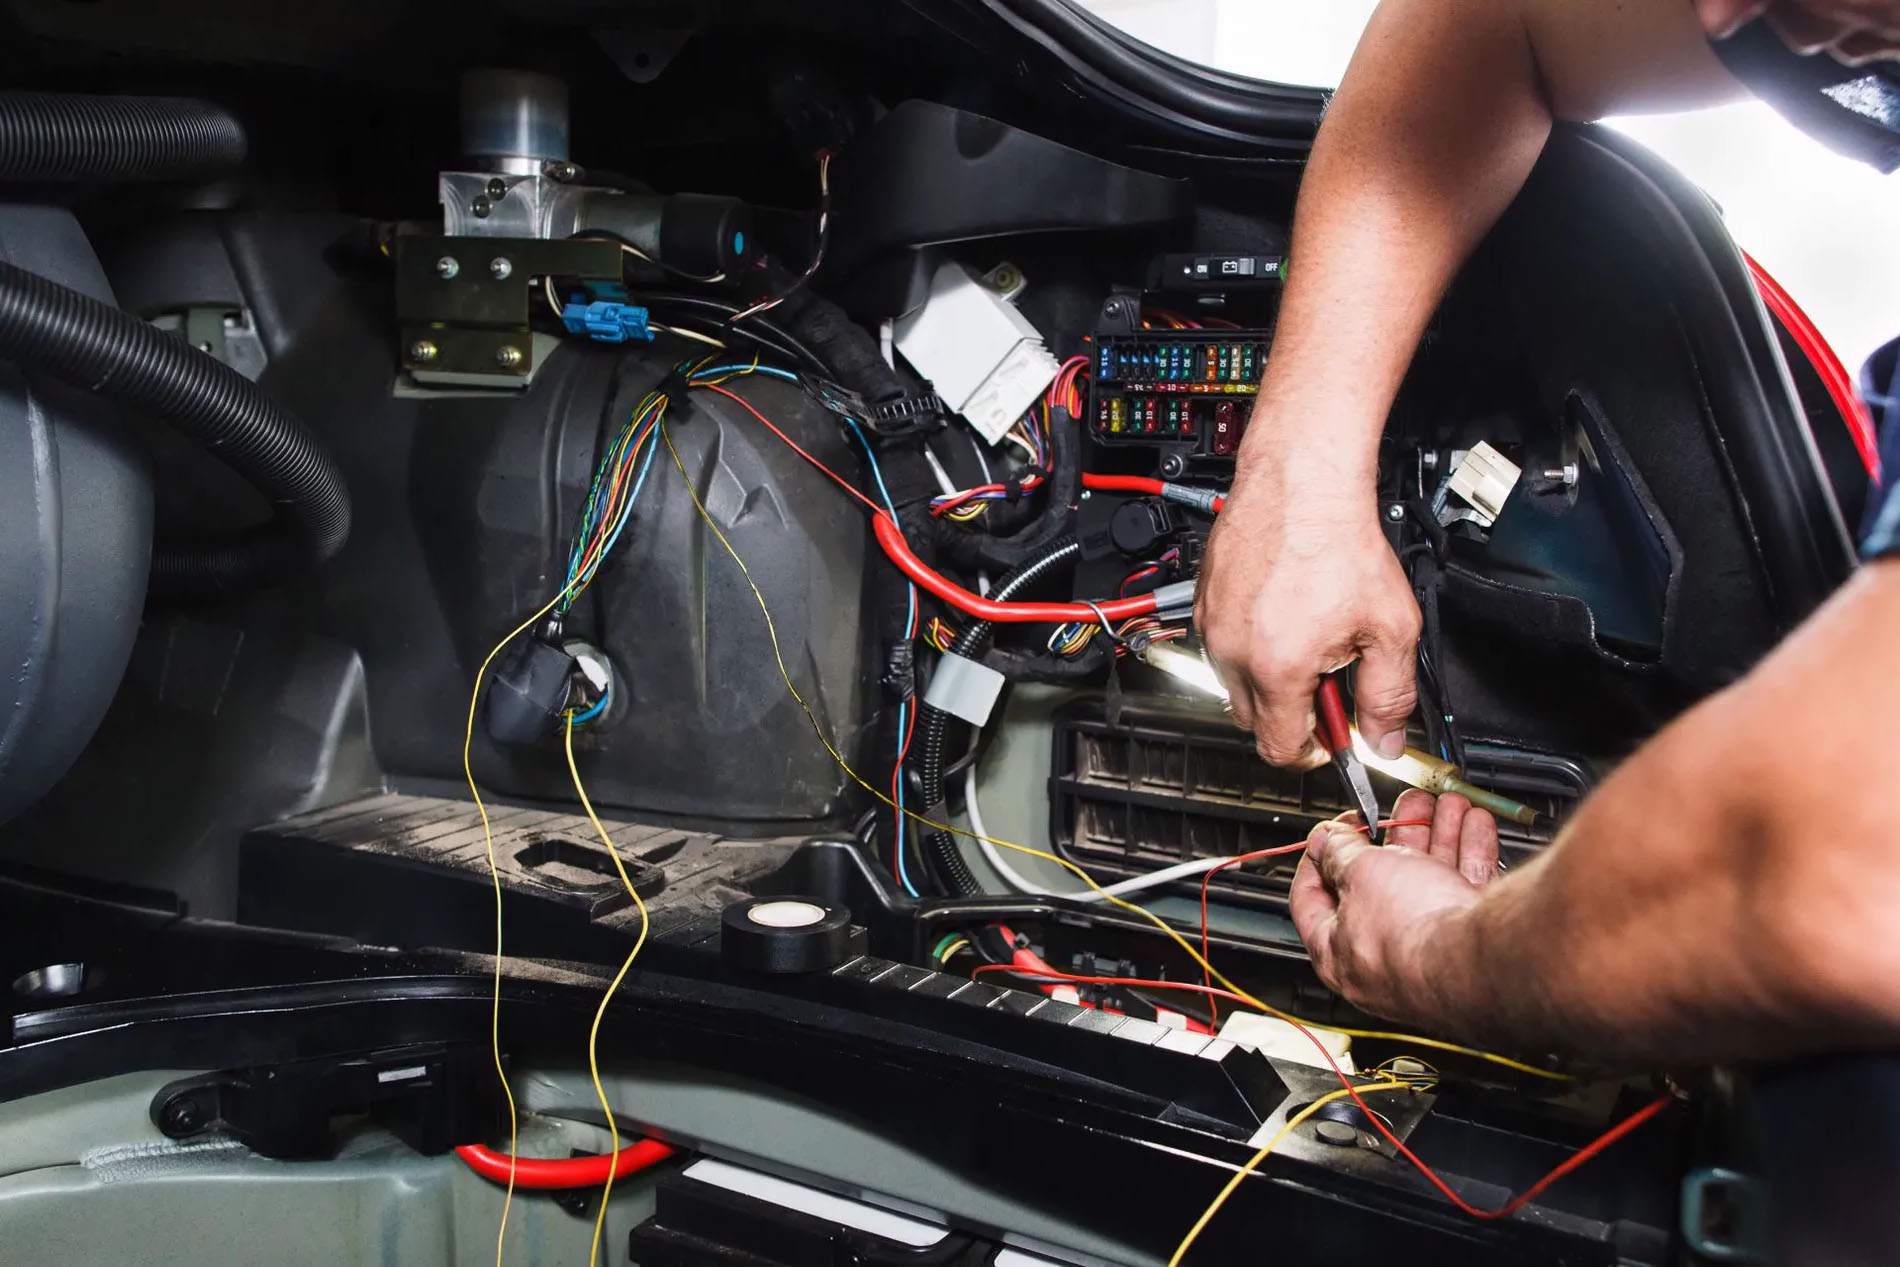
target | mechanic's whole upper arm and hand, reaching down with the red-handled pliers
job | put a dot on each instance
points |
(1432, 134)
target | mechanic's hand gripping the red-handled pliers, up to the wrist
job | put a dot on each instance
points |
(1297, 584)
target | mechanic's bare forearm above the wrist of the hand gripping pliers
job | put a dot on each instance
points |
(1432, 134)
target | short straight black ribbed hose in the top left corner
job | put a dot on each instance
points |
(81, 138)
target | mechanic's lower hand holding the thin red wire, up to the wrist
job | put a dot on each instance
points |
(1367, 913)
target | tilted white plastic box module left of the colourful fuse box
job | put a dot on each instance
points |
(983, 356)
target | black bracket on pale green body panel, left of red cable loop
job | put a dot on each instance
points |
(432, 1097)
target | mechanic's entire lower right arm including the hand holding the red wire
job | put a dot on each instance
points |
(1728, 894)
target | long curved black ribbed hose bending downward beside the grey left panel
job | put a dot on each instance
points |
(98, 349)
